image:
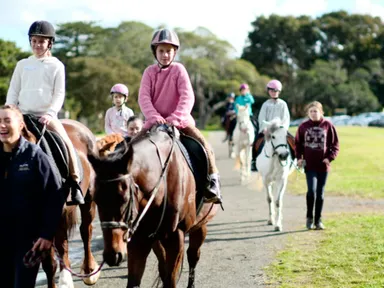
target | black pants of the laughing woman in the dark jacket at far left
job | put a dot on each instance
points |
(13, 273)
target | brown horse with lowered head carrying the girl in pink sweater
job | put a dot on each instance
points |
(146, 197)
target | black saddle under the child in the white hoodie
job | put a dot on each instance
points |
(53, 145)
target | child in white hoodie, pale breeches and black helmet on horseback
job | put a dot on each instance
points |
(38, 87)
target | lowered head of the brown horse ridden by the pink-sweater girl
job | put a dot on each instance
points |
(111, 195)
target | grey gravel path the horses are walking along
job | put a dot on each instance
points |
(239, 243)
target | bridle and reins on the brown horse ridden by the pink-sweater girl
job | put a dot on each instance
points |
(130, 223)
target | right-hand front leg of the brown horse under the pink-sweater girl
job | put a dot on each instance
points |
(174, 247)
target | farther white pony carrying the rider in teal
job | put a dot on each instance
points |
(243, 137)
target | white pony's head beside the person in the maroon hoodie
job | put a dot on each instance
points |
(276, 134)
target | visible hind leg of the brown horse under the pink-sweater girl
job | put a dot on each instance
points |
(196, 239)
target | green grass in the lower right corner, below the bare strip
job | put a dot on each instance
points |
(349, 253)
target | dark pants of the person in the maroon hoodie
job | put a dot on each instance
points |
(315, 195)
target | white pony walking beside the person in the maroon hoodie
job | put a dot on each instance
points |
(274, 165)
